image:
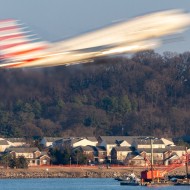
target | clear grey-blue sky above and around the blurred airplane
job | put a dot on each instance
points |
(54, 20)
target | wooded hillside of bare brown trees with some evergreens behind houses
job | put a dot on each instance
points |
(147, 94)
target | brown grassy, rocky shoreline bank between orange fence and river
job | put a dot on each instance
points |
(74, 172)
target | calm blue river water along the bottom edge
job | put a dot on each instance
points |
(72, 184)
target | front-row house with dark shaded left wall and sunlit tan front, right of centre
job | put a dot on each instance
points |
(119, 154)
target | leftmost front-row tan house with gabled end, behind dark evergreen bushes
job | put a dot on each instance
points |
(33, 155)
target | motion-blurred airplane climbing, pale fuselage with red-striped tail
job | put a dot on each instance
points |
(18, 49)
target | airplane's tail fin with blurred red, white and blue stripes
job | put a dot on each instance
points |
(17, 45)
